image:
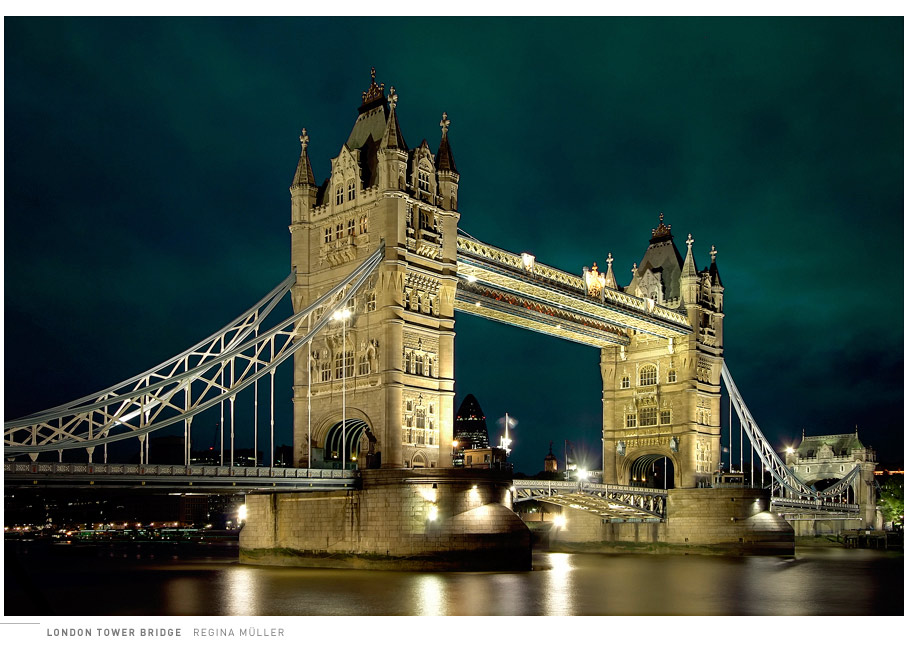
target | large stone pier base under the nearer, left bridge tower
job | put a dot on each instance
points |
(424, 518)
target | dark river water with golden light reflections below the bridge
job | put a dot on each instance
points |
(170, 580)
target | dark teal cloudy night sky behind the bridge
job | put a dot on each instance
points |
(147, 167)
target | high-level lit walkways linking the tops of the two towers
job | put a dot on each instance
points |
(484, 267)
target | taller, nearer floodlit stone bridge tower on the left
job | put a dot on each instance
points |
(392, 361)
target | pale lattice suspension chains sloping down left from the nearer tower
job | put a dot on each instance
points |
(188, 384)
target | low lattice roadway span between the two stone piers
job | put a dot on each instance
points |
(614, 501)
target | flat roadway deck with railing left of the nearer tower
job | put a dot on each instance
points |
(194, 478)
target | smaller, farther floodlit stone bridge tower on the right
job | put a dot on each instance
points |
(661, 397)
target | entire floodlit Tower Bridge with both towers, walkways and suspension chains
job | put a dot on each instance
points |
(379, 267)
